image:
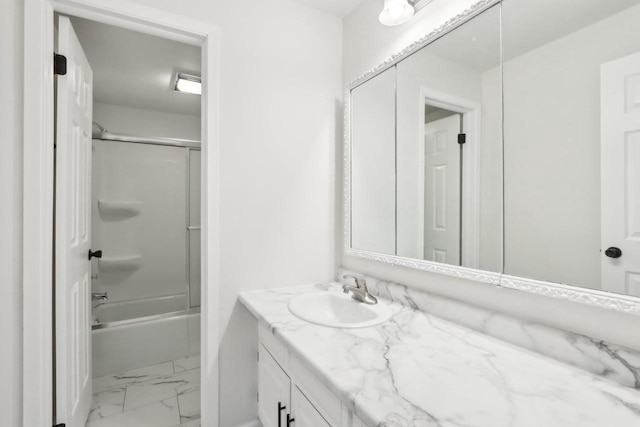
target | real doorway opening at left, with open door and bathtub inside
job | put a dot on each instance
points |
(127, 315)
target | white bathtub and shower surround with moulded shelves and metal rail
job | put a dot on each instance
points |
(146, 221)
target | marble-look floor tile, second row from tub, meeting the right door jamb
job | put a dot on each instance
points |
(161, 388)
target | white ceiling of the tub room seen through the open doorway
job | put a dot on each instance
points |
(137, 70)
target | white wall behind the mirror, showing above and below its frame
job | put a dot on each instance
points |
(367, 43)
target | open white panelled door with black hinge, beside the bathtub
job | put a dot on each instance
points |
(72, 228)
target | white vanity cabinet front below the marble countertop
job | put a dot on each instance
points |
(289, 395)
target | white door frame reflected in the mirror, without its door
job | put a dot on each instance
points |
(470, 179)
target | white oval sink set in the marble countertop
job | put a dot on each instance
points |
(338, 310)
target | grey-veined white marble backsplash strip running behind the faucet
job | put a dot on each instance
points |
(617, 363)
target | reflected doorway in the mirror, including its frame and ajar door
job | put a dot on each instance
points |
(449, 177)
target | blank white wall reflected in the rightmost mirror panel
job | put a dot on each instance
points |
(552, 118)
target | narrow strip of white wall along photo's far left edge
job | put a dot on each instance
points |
(11, 28)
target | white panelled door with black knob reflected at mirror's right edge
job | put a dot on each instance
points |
(620, 175)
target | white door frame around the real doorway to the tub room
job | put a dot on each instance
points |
(37, 252)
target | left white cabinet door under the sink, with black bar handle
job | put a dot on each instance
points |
(274, 391)
